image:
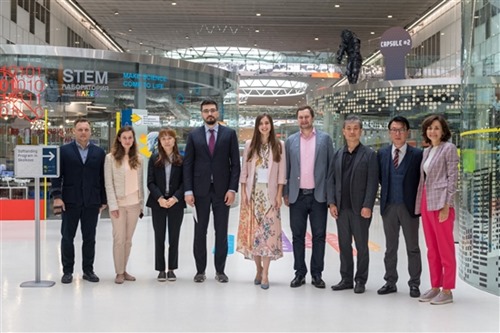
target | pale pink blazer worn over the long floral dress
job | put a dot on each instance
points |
(277, 172)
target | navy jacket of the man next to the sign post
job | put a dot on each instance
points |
(80, 184)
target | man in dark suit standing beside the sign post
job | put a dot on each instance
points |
(79, 195)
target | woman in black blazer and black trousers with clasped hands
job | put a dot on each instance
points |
(166, 200)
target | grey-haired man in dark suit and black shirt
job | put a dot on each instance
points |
(356, 185)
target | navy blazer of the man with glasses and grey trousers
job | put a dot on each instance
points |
(411, 178)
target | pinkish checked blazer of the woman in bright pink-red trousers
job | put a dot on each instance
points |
(441, 181)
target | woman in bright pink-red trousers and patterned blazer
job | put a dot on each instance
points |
(435, 199)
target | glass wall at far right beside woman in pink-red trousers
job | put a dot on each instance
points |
(480, 158)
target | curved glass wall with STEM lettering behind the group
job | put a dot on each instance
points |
(46, 88)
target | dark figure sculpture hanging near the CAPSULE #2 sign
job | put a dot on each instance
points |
(350, 45)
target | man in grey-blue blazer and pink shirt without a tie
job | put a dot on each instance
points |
(309, 161)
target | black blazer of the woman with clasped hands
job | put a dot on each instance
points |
(157, 183)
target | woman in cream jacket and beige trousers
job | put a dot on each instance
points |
(125, 194)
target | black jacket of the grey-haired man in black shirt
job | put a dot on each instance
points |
(364, 178)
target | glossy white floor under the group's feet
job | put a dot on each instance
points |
(147, 305)
